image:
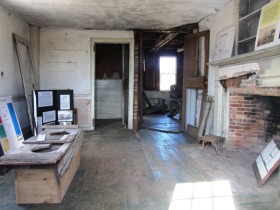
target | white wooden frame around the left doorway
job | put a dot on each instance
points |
(130, 42)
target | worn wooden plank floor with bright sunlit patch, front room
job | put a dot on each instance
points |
(154, 170)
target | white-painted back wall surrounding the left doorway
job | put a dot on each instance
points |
(66, 62)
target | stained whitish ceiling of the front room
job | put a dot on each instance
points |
(113, 14)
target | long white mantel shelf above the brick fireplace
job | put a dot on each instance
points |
(248, 57)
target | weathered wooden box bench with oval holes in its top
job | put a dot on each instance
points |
(45, 175)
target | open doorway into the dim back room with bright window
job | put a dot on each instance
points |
(162, 92)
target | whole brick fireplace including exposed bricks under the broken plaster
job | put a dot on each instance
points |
(254, 112)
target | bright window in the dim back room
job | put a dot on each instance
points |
(167, 67)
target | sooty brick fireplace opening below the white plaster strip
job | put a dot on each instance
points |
(253, 120)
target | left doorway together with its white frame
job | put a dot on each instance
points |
(111, 92)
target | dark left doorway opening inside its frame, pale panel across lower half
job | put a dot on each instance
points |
(111, 85)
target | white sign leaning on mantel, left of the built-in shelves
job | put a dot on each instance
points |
(224, 44)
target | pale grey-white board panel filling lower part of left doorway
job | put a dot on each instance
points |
(108, 99)
